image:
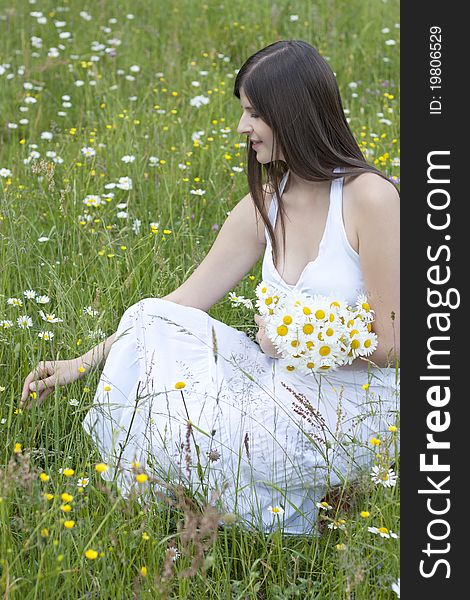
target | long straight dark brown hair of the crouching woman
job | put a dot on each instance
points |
(295, 92)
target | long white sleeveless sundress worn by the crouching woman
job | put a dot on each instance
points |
(251, 439)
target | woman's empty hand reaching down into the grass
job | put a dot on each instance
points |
(46, 376)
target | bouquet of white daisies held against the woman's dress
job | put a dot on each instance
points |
(316, 334)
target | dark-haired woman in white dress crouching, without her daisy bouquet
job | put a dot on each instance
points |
(189, 398)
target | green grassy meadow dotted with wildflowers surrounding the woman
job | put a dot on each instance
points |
(119, 161)
